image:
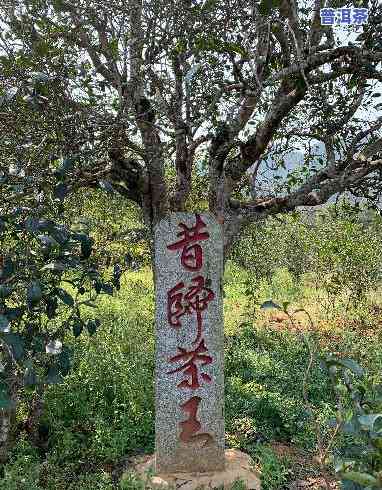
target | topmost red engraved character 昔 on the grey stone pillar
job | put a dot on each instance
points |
(192, 254)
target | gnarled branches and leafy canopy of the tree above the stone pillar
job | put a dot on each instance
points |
(128, 91)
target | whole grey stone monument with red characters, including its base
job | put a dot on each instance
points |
(189, 391)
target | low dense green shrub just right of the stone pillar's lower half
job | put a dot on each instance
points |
(264, 373)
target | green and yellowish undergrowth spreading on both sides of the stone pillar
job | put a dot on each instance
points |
(102, 414)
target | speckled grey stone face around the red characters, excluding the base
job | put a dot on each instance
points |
(179, 448)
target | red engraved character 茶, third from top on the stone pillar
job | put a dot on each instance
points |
(190, 368)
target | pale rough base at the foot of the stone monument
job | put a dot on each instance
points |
(238, 467)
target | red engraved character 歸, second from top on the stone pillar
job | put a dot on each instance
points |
(195, 300)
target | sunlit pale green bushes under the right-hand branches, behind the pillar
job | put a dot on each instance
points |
(338, 247)
